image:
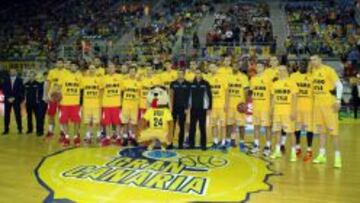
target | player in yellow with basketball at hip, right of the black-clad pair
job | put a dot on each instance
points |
(238, 91)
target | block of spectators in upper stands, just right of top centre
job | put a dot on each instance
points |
(242, 23)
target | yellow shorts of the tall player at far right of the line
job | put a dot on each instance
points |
(326, 121)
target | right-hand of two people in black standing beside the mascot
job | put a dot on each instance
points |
(200, 103)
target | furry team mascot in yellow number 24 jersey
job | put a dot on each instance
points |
(157, 121)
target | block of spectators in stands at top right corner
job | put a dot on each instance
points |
(330, 28)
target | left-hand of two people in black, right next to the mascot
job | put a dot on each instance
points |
(179, 92)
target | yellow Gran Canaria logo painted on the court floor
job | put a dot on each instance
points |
(134, 174)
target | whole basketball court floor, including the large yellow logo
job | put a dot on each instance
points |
(34, 171)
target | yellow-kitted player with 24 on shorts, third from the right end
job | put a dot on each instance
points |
(284, 102)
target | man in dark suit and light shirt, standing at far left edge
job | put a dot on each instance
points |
(13, 89)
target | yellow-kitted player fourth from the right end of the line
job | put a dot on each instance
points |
(260, 87)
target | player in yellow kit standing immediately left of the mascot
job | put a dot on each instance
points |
(130, 105)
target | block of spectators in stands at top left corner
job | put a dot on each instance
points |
(37, 28)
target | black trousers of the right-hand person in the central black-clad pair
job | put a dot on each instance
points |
(197, 115)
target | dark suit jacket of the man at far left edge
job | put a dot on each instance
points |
(16, 91)
